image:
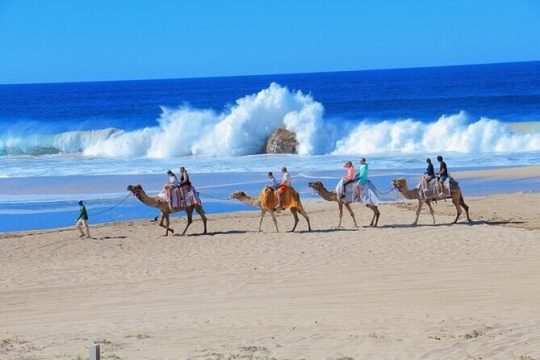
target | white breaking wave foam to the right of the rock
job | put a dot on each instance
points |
(454, 133)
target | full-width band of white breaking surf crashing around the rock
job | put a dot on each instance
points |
(243, 129)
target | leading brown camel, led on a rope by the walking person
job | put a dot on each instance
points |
(165, 208)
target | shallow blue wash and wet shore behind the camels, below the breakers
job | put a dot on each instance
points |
(59, 210)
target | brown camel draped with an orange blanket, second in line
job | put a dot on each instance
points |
(267, 202)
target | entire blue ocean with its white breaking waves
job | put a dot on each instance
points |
(63, 142)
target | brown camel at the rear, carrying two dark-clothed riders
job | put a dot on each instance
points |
(455, 195)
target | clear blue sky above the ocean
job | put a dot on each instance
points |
(77, 40)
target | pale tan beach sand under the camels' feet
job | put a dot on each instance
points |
(431, 291)
